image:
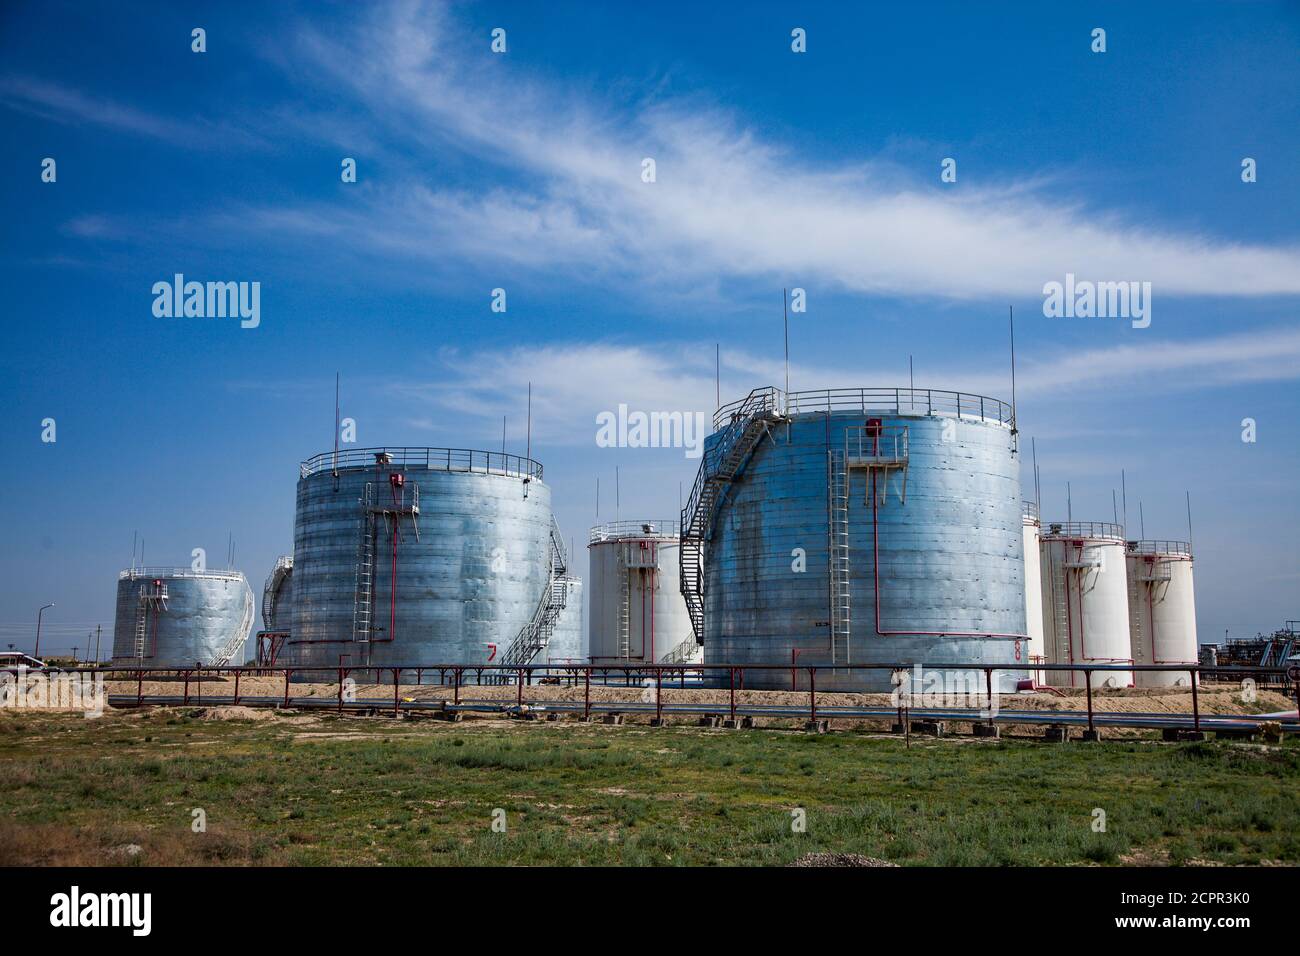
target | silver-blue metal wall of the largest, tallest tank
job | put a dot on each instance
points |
(951, 557)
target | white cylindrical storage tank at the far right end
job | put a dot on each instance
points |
(1163, 609)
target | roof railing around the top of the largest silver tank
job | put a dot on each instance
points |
(963, 405)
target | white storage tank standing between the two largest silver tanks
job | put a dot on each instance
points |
(638, 611)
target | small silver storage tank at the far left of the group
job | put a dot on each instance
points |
(177, 617)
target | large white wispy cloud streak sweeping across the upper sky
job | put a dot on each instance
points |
(726, 201)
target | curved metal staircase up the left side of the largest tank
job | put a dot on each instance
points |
(721, 466)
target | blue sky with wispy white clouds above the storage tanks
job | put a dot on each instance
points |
(522, 171)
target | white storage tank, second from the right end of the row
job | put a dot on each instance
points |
(1086, 602)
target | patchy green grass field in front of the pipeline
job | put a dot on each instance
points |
(327, 790)
